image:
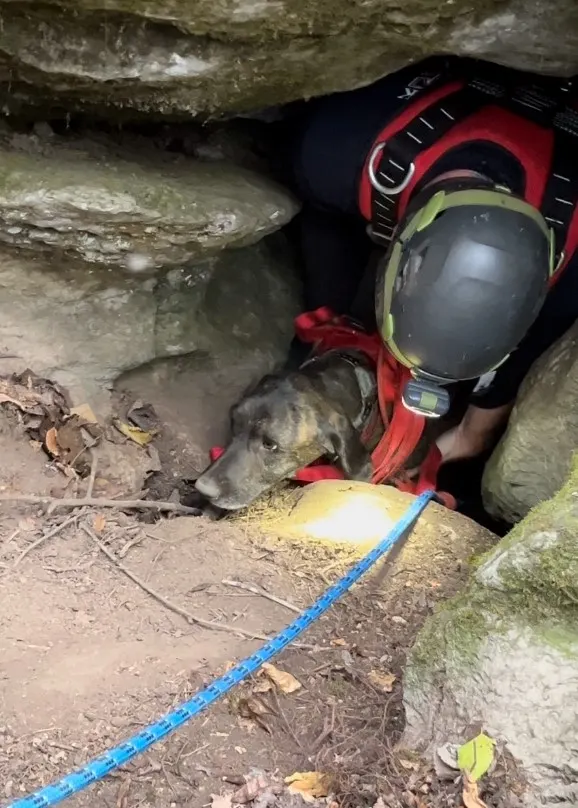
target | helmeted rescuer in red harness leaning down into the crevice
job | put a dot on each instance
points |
(439, 205)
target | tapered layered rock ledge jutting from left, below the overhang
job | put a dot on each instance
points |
(140, 210)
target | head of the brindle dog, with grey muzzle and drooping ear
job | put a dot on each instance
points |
(283, 424)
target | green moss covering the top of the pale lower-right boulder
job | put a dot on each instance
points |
(539, 591)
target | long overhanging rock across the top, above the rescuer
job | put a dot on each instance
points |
(199, 58)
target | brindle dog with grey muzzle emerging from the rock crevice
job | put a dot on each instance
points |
(291, 418)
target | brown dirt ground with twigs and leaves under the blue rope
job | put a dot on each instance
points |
(89, 656)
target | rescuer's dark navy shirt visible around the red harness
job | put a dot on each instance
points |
(341, 129)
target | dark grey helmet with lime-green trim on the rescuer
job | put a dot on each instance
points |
(462, 282)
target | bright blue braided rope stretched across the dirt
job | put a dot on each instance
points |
(124, 752)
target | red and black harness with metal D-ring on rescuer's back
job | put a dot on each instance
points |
(538, 128)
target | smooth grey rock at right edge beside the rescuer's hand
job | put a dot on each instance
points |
(533, 459)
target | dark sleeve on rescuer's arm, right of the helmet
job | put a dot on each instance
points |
(558, 314)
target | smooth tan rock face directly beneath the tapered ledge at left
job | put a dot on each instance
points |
(84, 327)
